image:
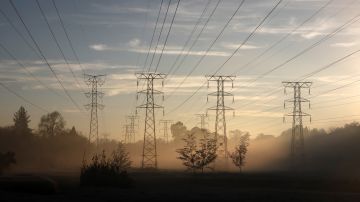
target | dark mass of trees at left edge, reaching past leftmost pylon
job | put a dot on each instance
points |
(51, 147)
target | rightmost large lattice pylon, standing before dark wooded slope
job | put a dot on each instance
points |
(297, 151)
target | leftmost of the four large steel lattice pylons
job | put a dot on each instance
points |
(94, 81)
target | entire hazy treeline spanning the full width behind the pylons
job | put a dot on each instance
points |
(55, 147)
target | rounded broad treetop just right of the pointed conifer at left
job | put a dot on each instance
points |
(51, 124)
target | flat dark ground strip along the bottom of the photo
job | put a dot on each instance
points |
(181, 186)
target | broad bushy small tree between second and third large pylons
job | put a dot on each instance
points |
(196, 157)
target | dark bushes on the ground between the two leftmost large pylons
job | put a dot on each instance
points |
(103, 171)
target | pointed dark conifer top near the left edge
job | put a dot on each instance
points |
(21, 121)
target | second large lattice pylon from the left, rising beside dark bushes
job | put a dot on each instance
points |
(149, 156)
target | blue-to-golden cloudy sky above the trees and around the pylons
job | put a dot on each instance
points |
(262, 43)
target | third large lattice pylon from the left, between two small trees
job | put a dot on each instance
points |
(220, 108)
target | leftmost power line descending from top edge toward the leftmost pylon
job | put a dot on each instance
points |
(43, 56)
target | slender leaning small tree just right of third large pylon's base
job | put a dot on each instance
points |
(239, 155)
